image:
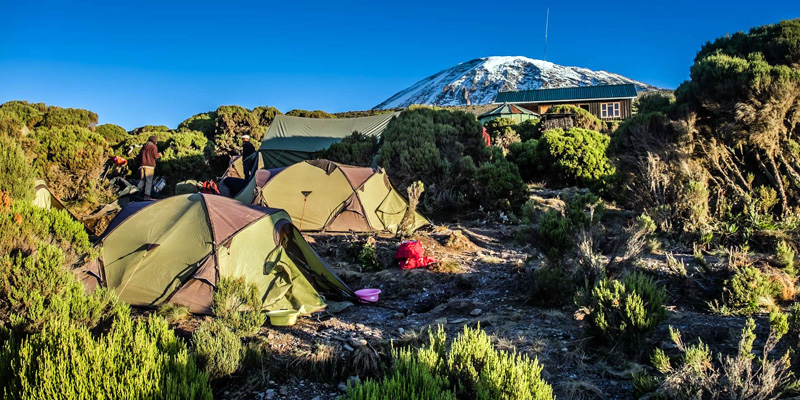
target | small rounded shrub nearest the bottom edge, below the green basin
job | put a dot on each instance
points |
(217, 349)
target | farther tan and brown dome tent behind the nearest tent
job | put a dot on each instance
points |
(322, 195)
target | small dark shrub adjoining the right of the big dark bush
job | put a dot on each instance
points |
(500, 186)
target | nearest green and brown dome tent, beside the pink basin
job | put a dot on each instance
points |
(176, 250)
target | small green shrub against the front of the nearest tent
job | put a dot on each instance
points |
(237, 305)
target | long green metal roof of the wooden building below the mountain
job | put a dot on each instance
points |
(570, 93)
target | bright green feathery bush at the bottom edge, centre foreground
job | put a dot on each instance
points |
(470, 369)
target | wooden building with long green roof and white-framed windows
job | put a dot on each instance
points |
(608, 102)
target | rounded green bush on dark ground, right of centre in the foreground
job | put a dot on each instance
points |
(624, 311)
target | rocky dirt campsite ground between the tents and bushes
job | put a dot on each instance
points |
(482, 279)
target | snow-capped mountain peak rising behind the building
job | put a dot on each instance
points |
(478, 81)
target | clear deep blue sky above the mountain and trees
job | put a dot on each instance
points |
(158, 62)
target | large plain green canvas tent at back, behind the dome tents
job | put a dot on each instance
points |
(290, 140)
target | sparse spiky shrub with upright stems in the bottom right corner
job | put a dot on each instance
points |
(746, 375)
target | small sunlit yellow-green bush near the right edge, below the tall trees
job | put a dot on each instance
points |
(748, 291)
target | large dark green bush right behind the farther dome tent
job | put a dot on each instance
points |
(441, 149)
